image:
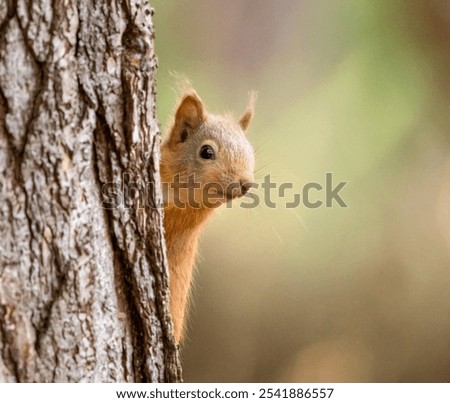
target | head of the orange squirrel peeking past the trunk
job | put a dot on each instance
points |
(210, 150)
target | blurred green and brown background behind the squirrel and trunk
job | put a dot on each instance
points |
(357, 88)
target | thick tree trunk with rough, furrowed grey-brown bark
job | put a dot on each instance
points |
(83, 290)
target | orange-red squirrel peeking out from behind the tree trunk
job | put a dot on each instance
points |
(211, 161)
